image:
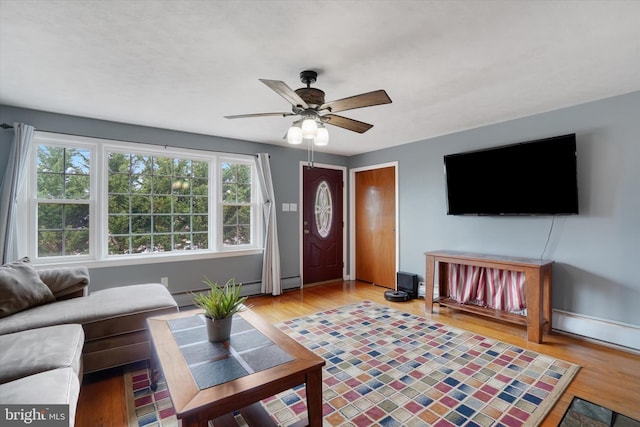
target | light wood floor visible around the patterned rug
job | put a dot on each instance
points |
(608, 377)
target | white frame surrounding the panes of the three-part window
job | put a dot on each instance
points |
(98, 207)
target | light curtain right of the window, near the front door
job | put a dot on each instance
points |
(271, 258)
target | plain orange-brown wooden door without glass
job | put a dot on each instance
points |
(375, 226)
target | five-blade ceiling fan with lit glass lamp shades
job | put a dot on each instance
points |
(314, 112)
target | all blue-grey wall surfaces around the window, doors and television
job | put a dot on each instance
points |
(596, 253)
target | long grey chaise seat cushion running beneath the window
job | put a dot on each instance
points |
(112, 303)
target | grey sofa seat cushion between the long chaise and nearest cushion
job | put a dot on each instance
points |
(38, 350)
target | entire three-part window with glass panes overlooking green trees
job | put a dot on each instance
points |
(105, 200)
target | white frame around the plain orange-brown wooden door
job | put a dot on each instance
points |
(352, 214)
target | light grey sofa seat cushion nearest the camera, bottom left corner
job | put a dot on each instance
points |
(56, 387)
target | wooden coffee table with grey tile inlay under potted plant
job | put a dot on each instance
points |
(190, 366)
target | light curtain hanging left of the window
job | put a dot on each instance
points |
(14, 176)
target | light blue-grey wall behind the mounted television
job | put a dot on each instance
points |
(596, 253)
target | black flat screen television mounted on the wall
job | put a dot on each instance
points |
(528, 178)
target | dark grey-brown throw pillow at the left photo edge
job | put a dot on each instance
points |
(21, 288)
